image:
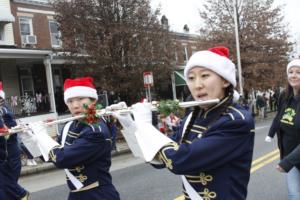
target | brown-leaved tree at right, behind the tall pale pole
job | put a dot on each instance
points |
(264, 45)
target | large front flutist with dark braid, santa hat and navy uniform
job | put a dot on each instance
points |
(213, 147)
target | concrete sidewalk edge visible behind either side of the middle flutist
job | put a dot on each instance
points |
(122, 148)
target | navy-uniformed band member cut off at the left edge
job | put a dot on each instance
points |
(10, 159)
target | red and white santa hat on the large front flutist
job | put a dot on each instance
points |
(215, 59)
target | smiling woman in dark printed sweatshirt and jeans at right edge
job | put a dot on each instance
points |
(286, 126)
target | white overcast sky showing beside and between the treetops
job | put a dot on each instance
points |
(181, 12)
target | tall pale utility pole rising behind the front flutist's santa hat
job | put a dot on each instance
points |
(237, 41)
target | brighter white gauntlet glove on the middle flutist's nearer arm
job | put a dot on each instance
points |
(45, 142)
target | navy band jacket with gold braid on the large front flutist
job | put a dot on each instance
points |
(216, 154)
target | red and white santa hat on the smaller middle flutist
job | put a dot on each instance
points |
(79, 87)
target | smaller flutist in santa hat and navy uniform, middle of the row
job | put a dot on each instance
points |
(83, 150)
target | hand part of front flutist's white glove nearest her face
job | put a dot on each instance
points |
(142, 112)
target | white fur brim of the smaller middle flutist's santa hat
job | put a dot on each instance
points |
(80, 91)
